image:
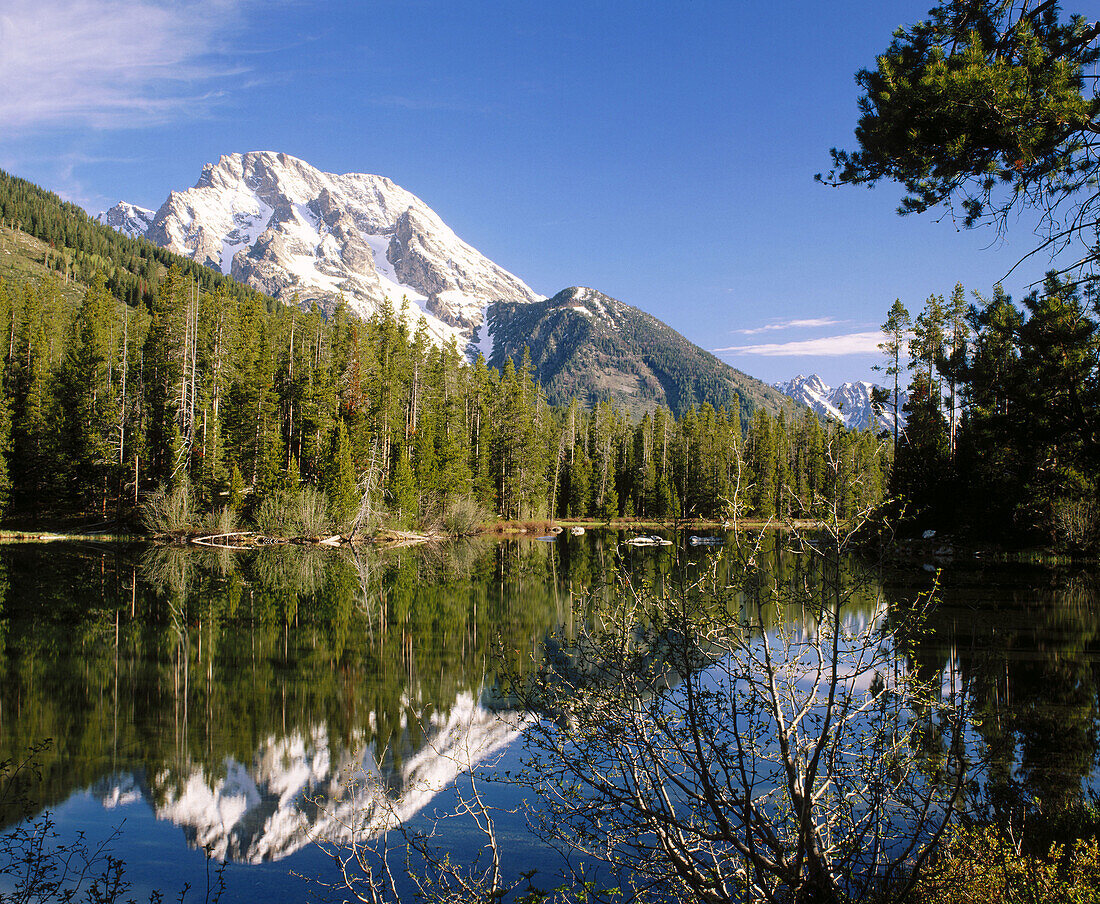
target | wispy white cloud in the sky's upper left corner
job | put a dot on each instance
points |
(112, 63)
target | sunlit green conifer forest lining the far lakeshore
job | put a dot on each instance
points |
(267, 413)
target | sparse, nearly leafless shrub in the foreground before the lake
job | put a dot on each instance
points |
(763, 741)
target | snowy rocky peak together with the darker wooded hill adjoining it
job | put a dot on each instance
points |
(294, 233)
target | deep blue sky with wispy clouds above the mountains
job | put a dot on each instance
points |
(661, 152)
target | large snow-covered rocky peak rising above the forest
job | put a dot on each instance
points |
(288, 229)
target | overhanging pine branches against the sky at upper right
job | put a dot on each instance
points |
(985, 107)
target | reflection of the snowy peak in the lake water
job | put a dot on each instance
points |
(315, 788)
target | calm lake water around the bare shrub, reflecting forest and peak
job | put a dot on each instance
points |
(211, 707)
